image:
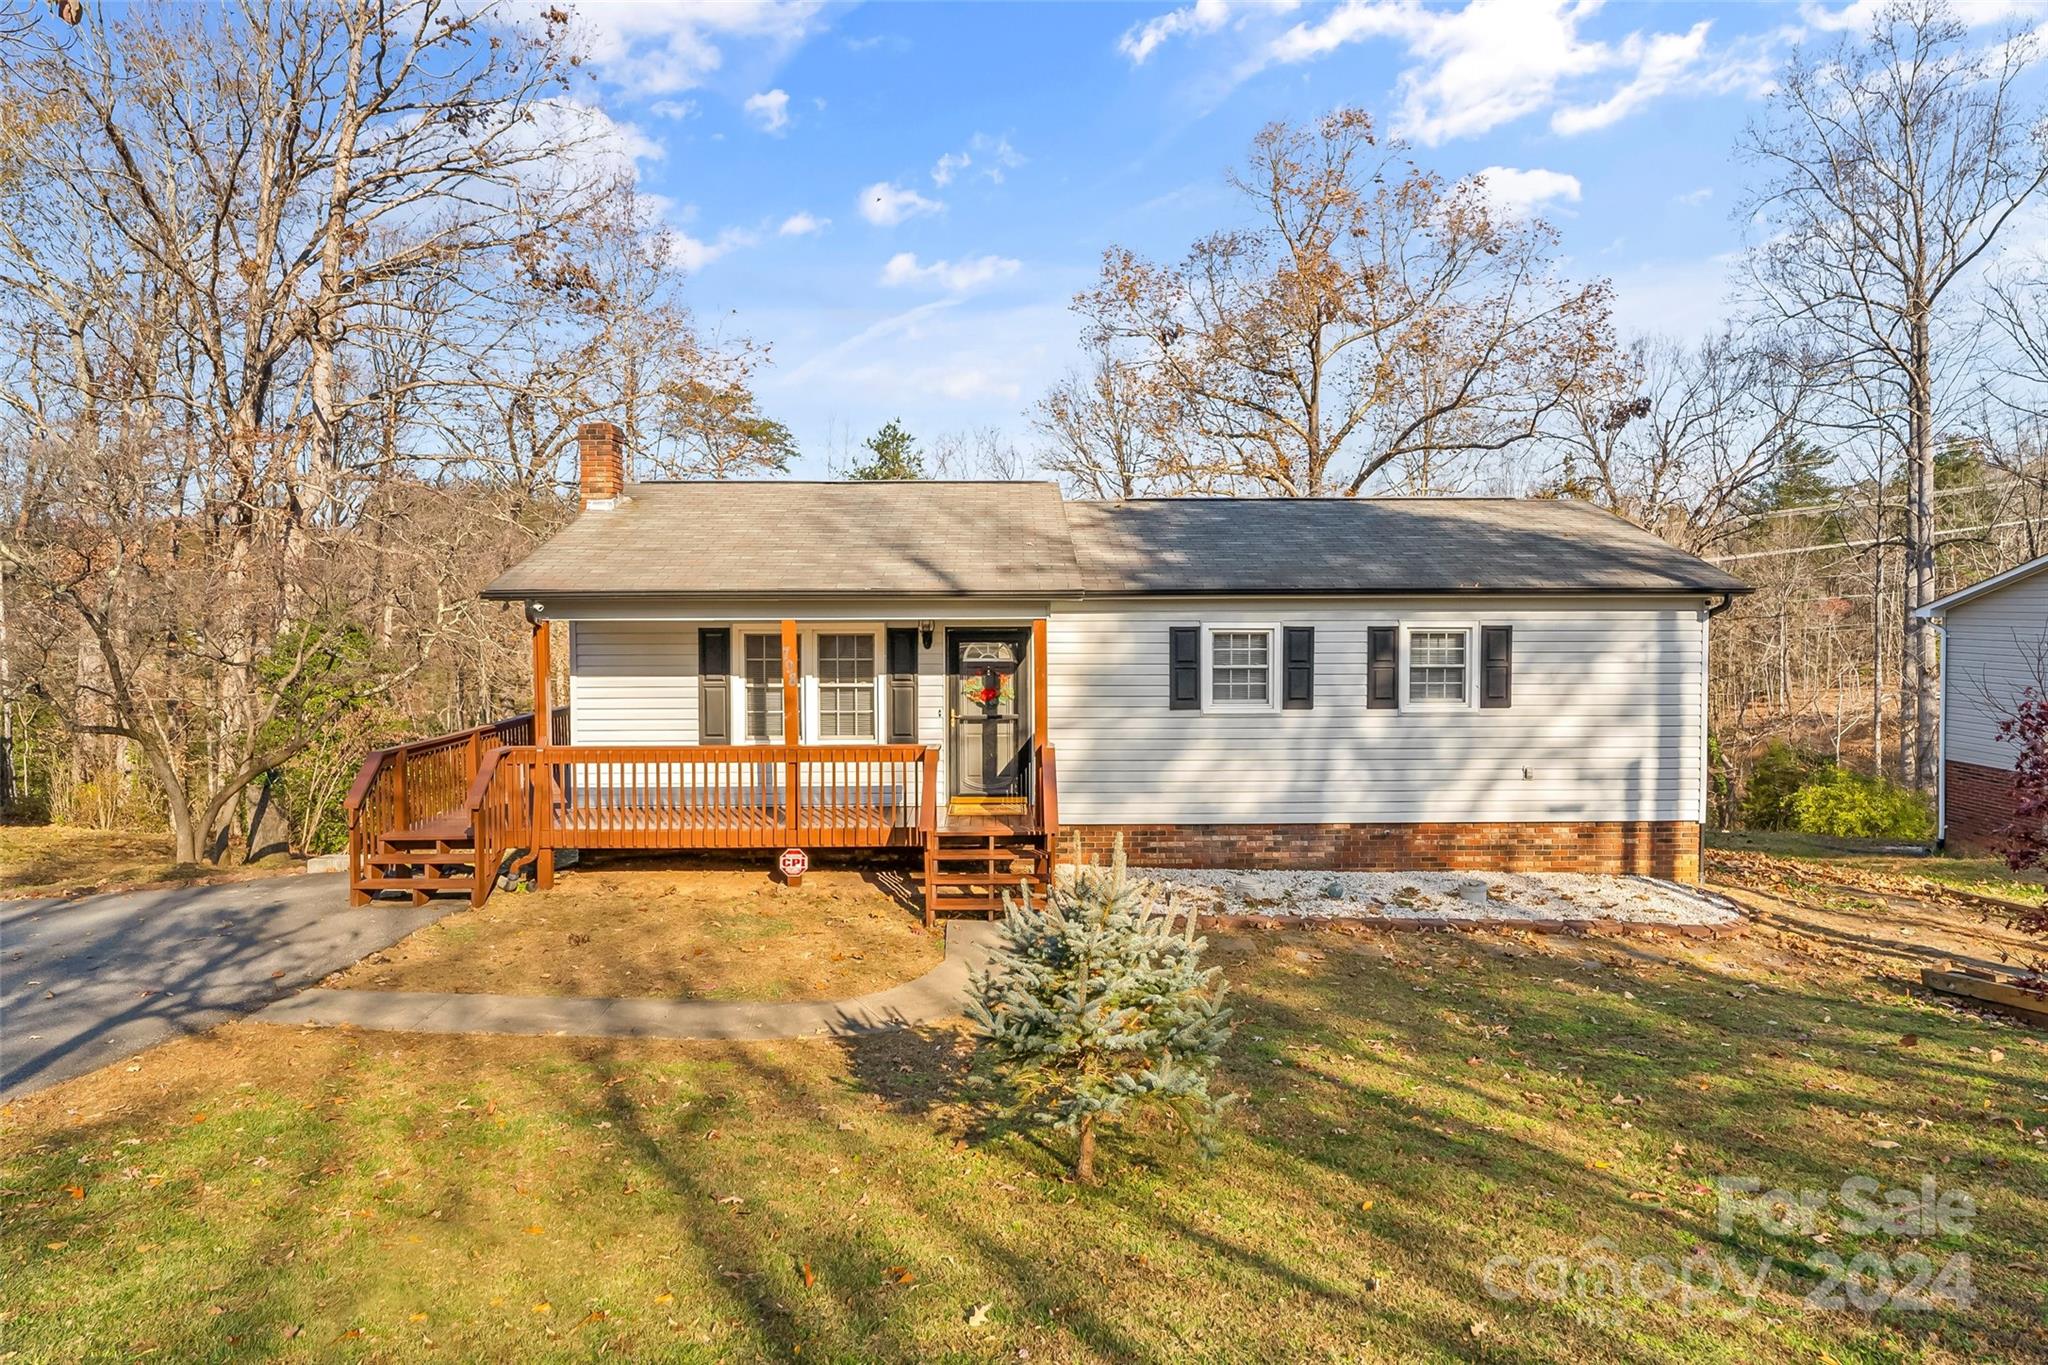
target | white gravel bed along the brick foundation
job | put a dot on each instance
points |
(1445, 895)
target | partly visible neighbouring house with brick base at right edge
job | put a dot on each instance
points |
(1994, 648)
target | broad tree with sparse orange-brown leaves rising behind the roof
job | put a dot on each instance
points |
(1373, 318)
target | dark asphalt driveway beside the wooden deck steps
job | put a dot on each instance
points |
(87, 983)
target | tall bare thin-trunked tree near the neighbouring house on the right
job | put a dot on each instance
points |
(1891, 169)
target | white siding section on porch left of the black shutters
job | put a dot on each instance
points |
(632, 682)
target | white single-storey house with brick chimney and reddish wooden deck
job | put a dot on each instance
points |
(984, 670)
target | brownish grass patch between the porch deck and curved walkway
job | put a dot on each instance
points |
(675, 932)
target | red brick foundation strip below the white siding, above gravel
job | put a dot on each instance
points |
(1650, 848)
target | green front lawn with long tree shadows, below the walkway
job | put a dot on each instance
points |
(1414, 1106)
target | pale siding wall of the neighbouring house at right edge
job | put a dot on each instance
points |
(1998, 646)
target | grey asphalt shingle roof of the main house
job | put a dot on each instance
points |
(1023, 541)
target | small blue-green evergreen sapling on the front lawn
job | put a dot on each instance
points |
(1099, 1002)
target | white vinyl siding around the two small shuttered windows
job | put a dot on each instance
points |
(1607, 719)
